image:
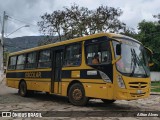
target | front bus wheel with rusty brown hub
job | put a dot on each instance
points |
(77, 95)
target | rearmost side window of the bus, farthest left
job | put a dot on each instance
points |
(12, 63)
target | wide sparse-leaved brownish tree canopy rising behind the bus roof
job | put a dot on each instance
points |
(78, 21)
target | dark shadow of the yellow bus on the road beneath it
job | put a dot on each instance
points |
(93, 103)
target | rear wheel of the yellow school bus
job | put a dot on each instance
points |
(22, 89)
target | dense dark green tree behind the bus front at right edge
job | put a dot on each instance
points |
(149, 35)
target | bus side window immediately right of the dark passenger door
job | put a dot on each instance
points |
(73, 55)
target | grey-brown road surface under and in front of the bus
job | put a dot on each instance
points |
(11, 101)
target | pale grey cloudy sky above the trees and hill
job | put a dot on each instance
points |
(28, 12)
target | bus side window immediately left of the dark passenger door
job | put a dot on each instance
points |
(44, 60)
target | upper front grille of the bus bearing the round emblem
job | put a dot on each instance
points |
(138, 84)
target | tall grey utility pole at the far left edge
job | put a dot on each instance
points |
(2, 44)
